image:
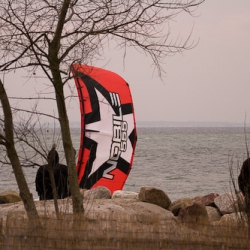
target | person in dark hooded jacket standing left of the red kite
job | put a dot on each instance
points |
(60, 173)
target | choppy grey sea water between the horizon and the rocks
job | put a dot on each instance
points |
(184, 162)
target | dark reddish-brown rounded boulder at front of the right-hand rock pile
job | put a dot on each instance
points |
(193, 215)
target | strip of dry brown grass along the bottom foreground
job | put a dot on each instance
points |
(118, 233)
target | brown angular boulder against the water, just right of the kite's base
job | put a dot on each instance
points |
(155, 196)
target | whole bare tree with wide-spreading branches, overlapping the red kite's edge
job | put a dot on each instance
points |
(52, 35)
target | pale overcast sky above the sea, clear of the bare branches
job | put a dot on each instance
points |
(207, 83)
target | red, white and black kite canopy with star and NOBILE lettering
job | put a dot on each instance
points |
(108, 131)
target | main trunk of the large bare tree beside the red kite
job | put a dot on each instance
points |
(69, 150)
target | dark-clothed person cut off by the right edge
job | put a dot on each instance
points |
(244, 178)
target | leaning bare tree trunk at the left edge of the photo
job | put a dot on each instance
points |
(25, 194)
